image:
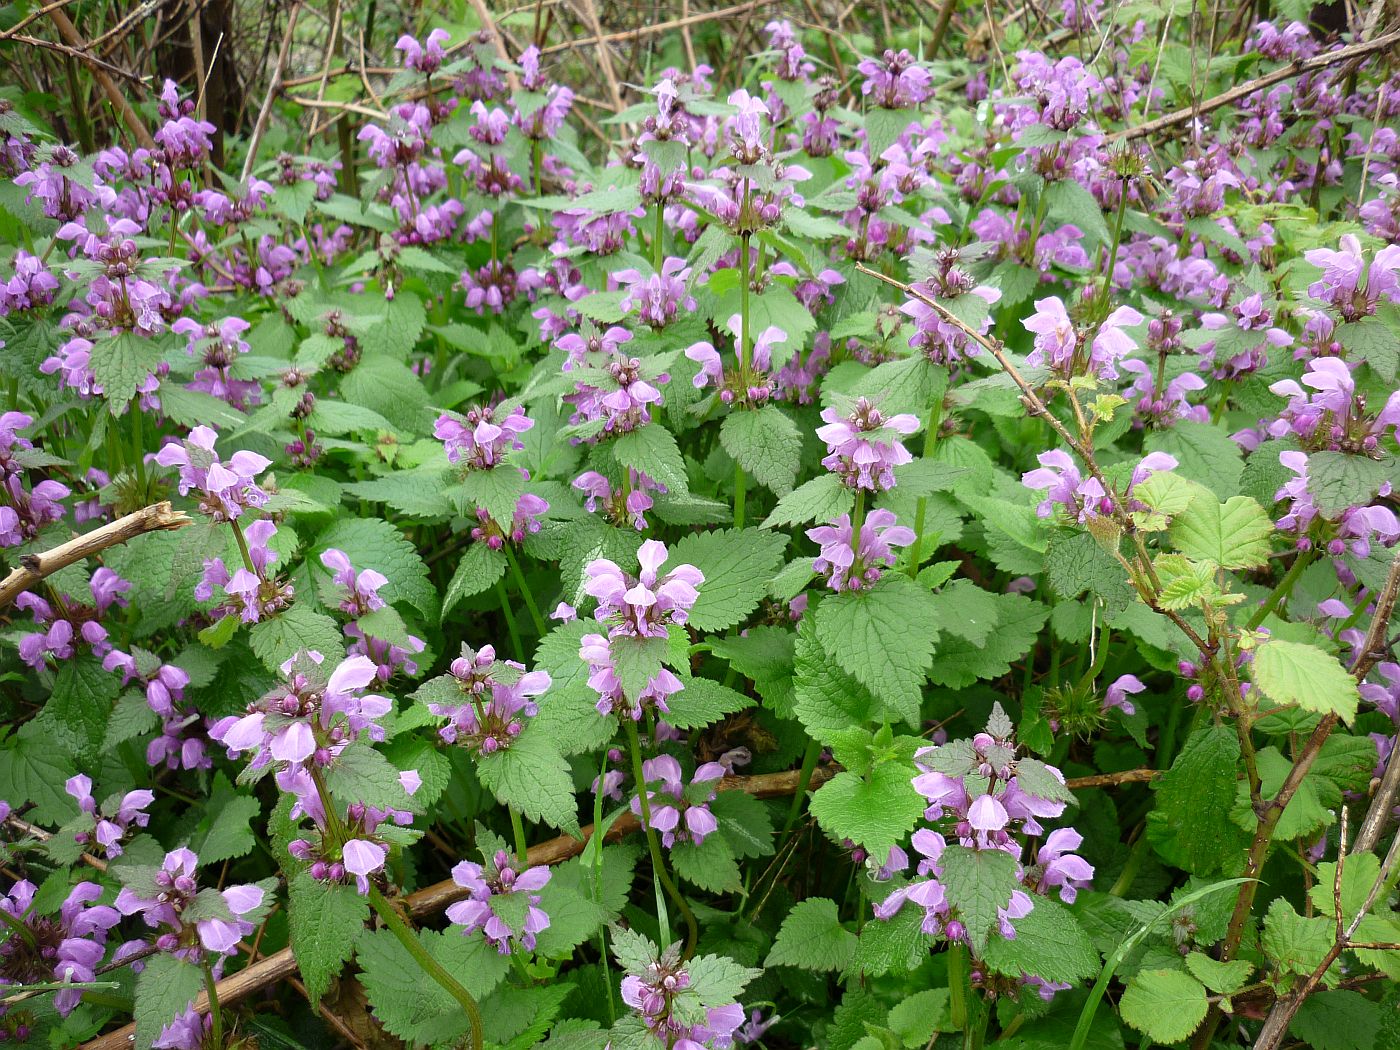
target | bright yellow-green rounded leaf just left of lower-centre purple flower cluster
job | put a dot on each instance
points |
(876, 813)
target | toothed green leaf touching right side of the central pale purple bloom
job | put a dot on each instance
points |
(737, 566)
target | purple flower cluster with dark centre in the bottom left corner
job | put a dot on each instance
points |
(65, 948)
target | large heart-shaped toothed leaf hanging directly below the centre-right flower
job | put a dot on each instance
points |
(884, 638)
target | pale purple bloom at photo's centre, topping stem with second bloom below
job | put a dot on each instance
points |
(643, 605)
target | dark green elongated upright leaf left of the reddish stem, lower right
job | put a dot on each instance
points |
(1189, 825)
